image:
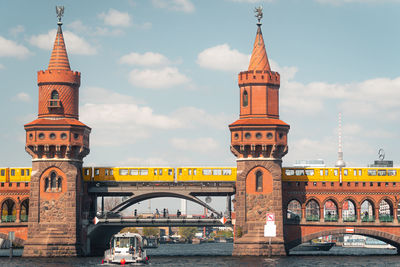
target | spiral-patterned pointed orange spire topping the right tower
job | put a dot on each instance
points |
(259, 58)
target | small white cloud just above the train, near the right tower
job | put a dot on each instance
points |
(204, 145)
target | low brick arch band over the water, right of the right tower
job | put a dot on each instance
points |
(389, 238)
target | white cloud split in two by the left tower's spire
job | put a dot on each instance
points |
(74, 43)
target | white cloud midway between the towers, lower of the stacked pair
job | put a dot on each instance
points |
(157, 78)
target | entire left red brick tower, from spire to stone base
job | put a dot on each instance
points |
(57, 142)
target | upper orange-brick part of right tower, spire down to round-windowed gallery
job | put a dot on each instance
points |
(259, 132)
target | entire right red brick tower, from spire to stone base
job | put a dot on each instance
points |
(259, 141)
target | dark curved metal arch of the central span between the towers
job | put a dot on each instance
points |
(145, 196)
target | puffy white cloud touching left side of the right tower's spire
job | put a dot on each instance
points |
(222, 57)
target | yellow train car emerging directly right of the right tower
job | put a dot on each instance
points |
(310, 174)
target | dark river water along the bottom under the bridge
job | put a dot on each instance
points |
(218, 254)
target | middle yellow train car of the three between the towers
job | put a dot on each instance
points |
(142, 174)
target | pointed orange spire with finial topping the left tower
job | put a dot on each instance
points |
(59, 57)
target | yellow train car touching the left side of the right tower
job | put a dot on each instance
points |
(206, 174)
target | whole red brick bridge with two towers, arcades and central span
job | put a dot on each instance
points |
(60, 222)
